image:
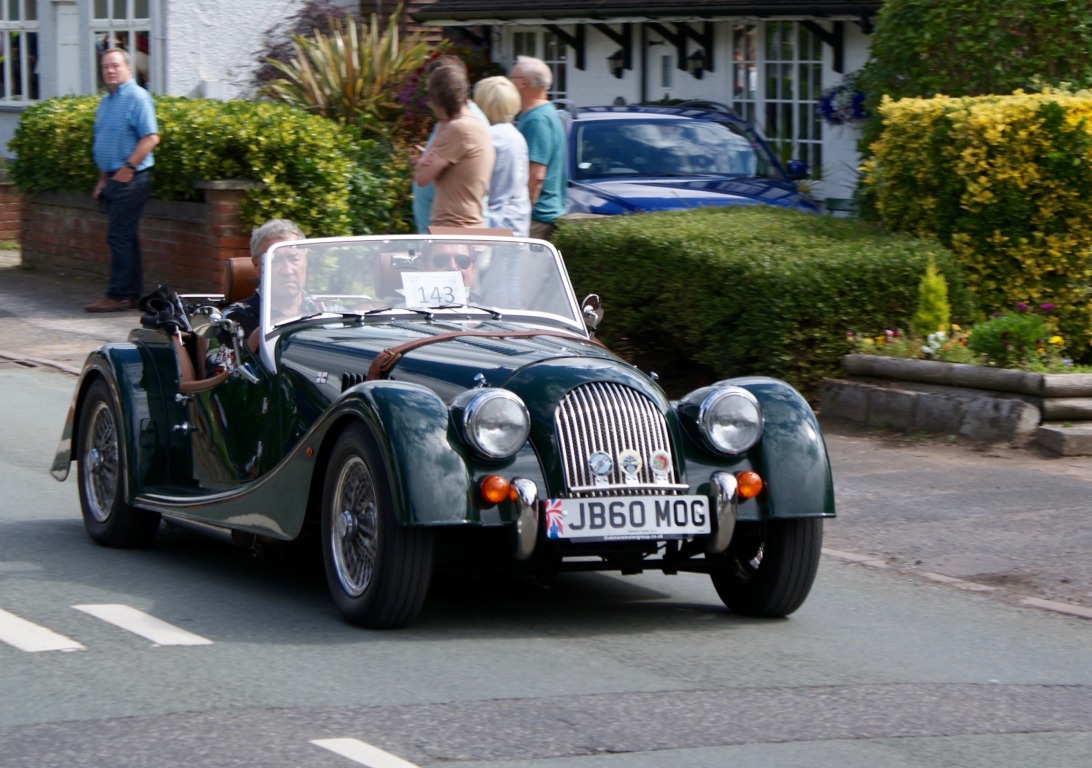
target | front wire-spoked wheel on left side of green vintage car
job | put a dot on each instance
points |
(378, 572)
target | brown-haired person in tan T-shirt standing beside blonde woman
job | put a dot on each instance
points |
(460, 159)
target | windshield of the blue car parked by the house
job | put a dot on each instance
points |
(658, 147)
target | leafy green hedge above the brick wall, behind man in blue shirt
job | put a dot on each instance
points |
(313, 171)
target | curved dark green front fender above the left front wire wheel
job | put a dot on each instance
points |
(428, 466)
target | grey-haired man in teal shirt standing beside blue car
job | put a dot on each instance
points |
(541, 126)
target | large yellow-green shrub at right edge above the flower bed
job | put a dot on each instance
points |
(1006, 184)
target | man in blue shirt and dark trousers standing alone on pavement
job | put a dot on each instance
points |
(126, 133)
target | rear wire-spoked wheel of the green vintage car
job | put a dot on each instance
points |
(101, 472)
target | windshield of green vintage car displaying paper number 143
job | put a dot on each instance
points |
(419, 277)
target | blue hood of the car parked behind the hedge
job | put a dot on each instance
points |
(673, 195)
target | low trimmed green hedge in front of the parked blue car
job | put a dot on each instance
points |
(703, 296)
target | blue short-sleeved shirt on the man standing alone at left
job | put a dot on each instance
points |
(124, 119)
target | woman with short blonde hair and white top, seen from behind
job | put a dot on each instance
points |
(509, 204)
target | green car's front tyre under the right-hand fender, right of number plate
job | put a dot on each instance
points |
(769, 569)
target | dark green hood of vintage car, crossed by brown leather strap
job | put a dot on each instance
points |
(338, 358)
